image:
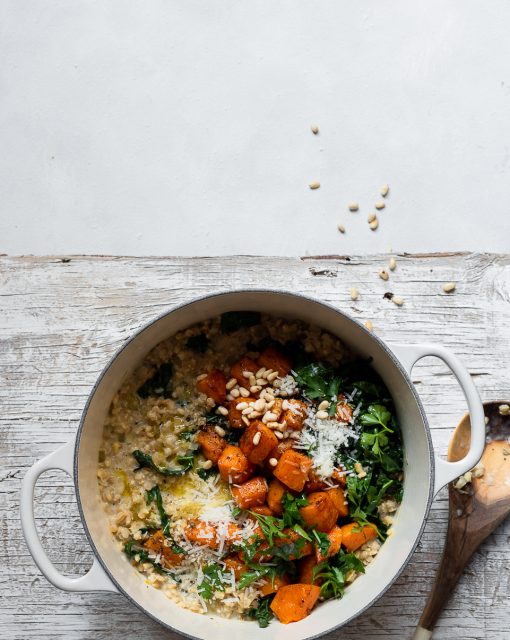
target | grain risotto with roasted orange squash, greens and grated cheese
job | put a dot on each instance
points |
(251, 467)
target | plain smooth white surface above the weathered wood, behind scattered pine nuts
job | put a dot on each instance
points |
(184, 127)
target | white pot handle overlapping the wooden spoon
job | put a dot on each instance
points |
(447, 471)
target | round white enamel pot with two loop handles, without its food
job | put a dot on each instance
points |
(425, 473)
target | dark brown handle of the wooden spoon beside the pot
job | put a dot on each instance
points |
(458, 549)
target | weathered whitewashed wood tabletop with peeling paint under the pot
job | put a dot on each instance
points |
(62, 320)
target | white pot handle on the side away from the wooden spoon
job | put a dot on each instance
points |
(95, 579)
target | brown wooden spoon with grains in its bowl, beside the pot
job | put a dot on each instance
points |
(474, 511)
